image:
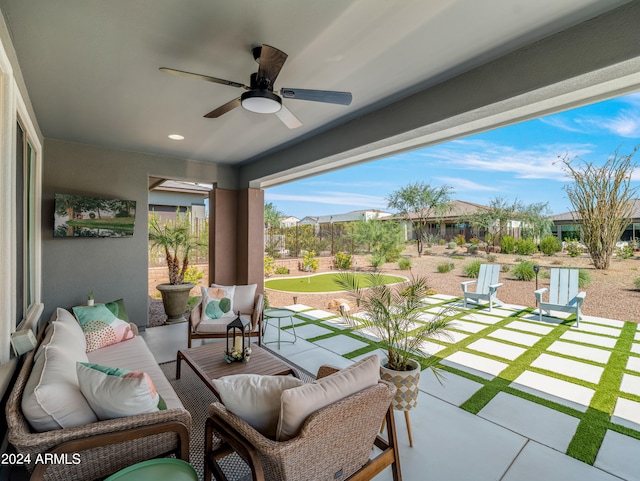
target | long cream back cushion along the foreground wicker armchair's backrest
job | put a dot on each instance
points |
(298, 403)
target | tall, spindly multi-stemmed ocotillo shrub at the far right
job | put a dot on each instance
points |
(602, 202)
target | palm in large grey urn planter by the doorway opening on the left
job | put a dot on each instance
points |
(178, 241)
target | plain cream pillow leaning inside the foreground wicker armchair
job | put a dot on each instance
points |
(255, 398)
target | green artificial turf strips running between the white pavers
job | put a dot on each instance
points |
(597, 418)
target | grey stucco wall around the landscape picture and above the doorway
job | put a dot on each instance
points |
(112, 268)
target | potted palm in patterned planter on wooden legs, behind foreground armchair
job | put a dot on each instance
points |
(396, 315)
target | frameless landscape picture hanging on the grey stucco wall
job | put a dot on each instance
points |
(80, 216)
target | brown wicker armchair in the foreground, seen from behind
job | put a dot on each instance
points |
(335, 442)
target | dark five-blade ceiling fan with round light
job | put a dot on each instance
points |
(260, 96)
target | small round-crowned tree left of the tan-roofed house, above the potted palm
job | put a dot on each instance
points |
(418, 203)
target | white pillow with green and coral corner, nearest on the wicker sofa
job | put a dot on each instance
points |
(114, 393)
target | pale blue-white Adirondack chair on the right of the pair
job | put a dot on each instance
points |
(563, 294)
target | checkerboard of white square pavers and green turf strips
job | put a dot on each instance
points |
(591, 374)
